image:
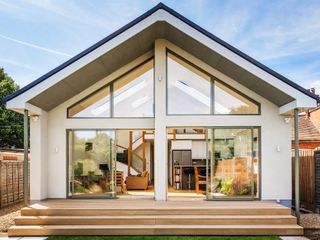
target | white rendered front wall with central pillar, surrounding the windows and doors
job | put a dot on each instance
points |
(275, 133)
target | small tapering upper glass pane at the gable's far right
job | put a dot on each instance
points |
(228, 101)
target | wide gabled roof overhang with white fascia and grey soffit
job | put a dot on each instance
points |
(137, 38)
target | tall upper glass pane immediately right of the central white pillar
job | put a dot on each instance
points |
(188, 88)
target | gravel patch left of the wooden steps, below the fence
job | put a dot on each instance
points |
(7, 216)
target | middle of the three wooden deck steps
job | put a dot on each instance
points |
(157, 219)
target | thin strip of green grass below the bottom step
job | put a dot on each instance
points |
(161, 238)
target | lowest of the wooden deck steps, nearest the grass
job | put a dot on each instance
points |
(47, 230)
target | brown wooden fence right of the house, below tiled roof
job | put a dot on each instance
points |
(307, 176)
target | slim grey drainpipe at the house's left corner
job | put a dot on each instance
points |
(25, 159)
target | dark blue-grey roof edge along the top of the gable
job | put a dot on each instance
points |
(161, 6)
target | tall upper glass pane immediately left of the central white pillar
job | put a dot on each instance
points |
(133, 93)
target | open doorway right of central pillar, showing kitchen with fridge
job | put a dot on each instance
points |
(186, 162)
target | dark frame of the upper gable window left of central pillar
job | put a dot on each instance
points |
(110, 85)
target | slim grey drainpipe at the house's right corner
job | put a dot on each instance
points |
(296, 162)
